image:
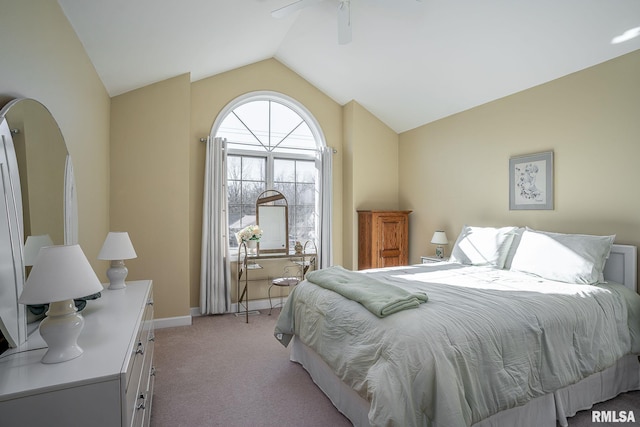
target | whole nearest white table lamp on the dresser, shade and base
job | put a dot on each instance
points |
(60, 274)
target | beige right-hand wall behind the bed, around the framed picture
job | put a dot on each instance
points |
(455, 171)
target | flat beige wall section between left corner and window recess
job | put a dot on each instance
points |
(150, 187)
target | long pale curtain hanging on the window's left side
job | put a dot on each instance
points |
(215, 277)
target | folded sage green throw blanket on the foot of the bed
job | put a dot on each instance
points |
(380, 298)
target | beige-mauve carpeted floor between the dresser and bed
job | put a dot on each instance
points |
(221, 371)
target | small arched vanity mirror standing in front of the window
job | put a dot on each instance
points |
(272, 217)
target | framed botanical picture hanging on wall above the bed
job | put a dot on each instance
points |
(531, 181)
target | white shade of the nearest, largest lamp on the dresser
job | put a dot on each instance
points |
(59, 273)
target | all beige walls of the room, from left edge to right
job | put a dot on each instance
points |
(450, 172)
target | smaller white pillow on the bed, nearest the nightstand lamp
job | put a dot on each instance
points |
(482, 245)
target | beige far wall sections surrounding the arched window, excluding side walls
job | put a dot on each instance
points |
(147, 134)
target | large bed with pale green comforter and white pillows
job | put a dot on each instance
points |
(522, 327)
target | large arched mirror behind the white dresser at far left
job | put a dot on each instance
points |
(46, 205)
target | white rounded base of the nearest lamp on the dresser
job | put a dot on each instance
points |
(60, 330)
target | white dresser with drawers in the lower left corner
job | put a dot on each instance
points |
(111, 384)
